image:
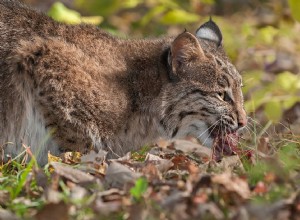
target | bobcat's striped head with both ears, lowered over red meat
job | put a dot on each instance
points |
(204, 97)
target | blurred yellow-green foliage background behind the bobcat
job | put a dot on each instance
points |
(261, 37)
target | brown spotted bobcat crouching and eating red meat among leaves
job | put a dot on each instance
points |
(76, 87)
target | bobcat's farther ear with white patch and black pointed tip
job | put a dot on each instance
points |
(210, 31)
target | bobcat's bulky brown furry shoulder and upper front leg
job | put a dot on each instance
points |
(77, 103)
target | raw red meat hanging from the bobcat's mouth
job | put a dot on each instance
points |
(225, 145)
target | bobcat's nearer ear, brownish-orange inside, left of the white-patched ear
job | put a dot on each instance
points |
(184, 49)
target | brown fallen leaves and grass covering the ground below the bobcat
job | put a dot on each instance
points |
(172, 180)
